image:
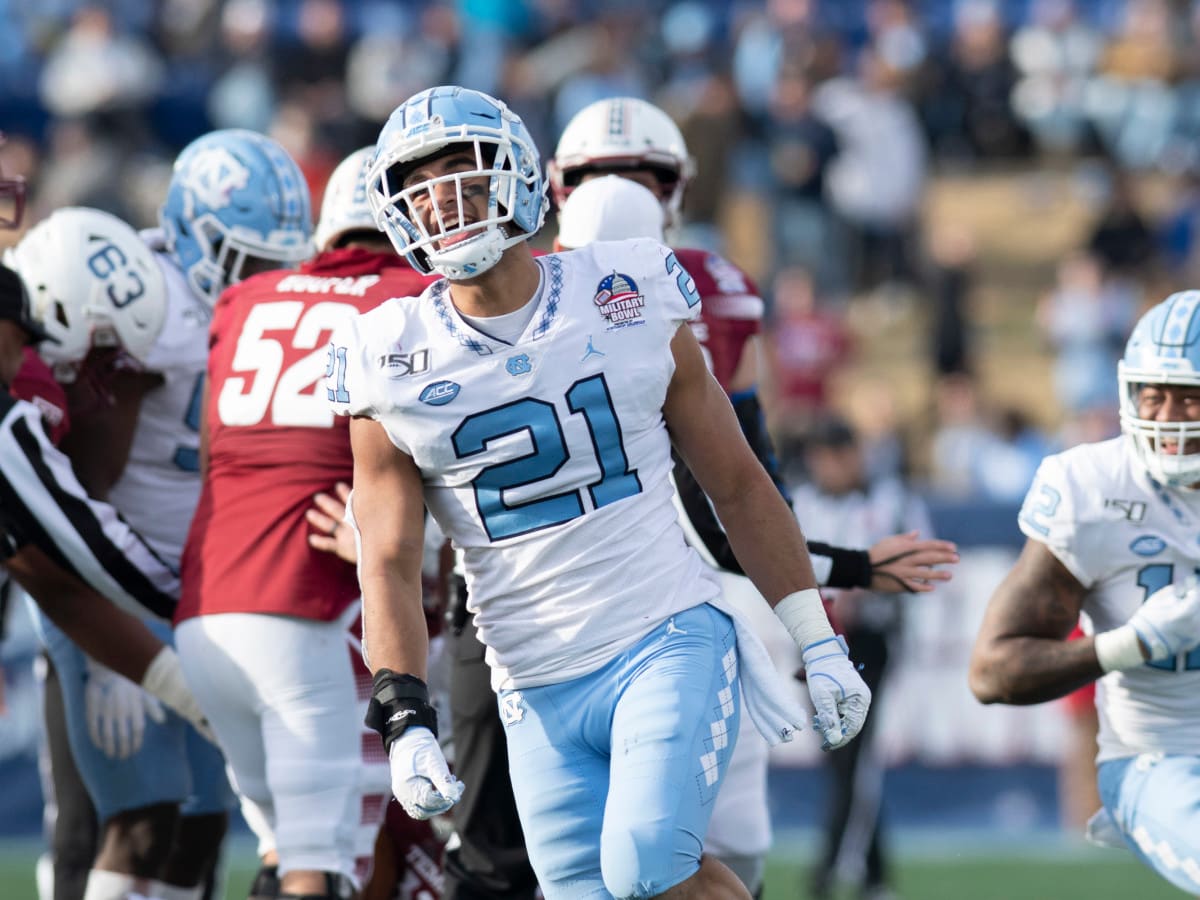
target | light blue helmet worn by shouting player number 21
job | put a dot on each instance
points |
(425, 127)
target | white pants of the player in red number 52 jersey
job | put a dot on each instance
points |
(280, 694)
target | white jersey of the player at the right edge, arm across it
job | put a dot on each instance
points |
(1124, 537)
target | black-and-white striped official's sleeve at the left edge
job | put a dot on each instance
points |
(43, 503)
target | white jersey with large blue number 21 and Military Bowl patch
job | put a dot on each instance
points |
(547, 461)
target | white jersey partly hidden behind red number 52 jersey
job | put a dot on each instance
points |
(161, 483)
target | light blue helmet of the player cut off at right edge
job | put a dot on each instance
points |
(1165, 349)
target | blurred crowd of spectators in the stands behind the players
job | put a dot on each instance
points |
(827, 119)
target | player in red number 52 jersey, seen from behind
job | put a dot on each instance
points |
(262, 623)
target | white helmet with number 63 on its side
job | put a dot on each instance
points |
(93, 283)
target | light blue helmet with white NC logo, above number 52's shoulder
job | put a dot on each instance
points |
(235, 195)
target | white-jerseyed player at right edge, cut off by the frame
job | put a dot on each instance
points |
(1112, 533)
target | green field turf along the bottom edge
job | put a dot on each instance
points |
(1039, 874)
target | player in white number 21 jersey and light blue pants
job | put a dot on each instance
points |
(532, 404)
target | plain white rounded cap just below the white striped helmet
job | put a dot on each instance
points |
(609, 209)
